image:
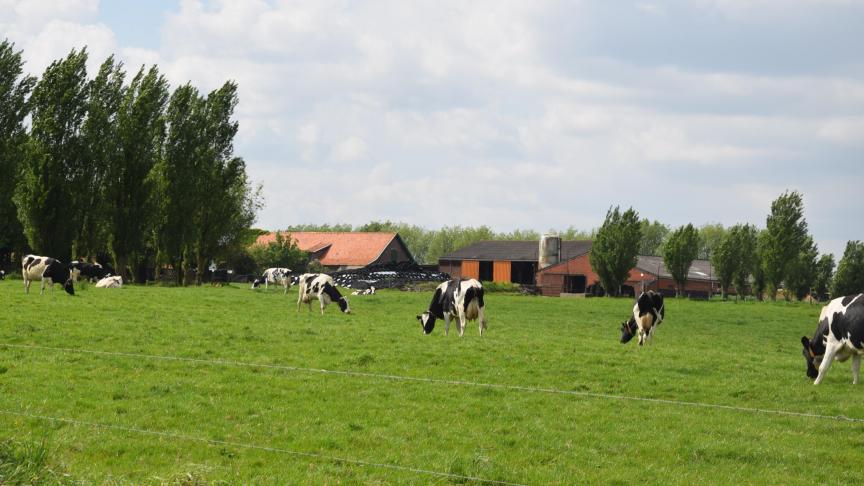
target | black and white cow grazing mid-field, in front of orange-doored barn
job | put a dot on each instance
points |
(460, 298)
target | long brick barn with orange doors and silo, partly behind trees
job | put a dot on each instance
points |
(561, 268)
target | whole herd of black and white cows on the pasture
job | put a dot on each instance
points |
(838, 336)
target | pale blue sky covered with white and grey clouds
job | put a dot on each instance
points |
(531, 114)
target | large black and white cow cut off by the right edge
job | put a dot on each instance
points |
(839, 335)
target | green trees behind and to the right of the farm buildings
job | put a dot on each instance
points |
(753, 261)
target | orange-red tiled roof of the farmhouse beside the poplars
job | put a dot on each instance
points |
(345, 249)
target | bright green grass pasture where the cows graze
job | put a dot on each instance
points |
(133, 418)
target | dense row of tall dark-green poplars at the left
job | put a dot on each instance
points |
(119, 169)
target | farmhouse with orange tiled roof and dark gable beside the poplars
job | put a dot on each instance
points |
(348, 250)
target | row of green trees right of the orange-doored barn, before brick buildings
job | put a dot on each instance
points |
(782, 255)
